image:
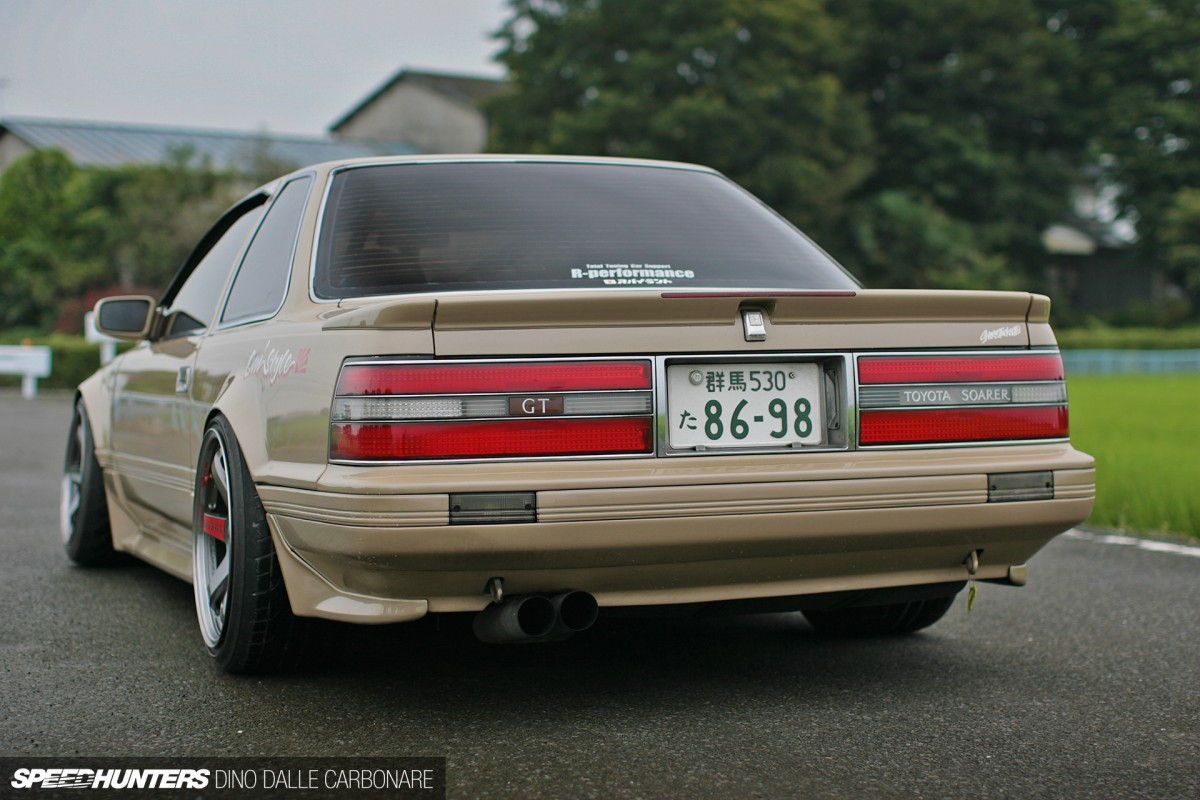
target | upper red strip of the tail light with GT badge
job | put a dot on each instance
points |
(506, 377)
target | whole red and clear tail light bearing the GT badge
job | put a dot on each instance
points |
(416, 412)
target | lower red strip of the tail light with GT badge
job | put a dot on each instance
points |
(560, 437)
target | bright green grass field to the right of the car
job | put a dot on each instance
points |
(1145, 435)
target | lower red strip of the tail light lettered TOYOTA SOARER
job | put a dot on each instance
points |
(963, 425)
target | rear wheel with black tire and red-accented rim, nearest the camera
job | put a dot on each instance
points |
(242, 604)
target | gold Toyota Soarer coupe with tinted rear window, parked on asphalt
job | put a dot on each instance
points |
(536, 388)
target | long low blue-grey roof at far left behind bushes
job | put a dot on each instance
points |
(109, 145)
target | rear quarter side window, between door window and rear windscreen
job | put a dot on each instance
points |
(263, 279)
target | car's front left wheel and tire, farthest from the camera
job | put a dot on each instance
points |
(83, 510)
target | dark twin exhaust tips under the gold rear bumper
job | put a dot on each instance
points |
(537, 618)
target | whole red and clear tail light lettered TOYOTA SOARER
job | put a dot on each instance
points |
(962, 399)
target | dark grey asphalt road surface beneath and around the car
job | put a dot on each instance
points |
(1087, 683)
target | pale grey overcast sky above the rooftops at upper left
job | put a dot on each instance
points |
(290, 67)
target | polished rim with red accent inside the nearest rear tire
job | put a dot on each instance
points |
(212, 540)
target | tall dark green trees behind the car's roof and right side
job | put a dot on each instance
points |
(928, 143)
